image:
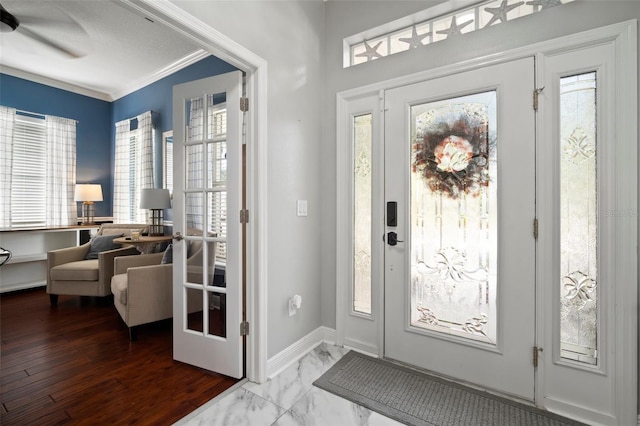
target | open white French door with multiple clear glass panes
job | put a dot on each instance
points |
(207, 272)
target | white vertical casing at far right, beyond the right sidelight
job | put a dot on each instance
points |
(626, 307)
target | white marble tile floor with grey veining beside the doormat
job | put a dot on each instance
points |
(289, 399)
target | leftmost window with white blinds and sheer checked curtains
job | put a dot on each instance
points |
(37, 170)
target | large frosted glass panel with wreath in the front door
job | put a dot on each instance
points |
(454, 216)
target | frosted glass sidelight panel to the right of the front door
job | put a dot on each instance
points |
(578, 218)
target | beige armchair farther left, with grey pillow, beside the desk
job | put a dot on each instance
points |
(69, 272)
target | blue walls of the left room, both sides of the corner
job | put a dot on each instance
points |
(95, 132)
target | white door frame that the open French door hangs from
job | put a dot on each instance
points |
(255, 69)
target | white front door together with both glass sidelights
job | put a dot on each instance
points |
(449, 252)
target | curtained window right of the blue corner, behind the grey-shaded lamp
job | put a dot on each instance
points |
(133, 169)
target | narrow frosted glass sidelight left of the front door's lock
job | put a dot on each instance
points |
(362, 214)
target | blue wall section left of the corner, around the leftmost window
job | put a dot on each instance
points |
(93, 130)
